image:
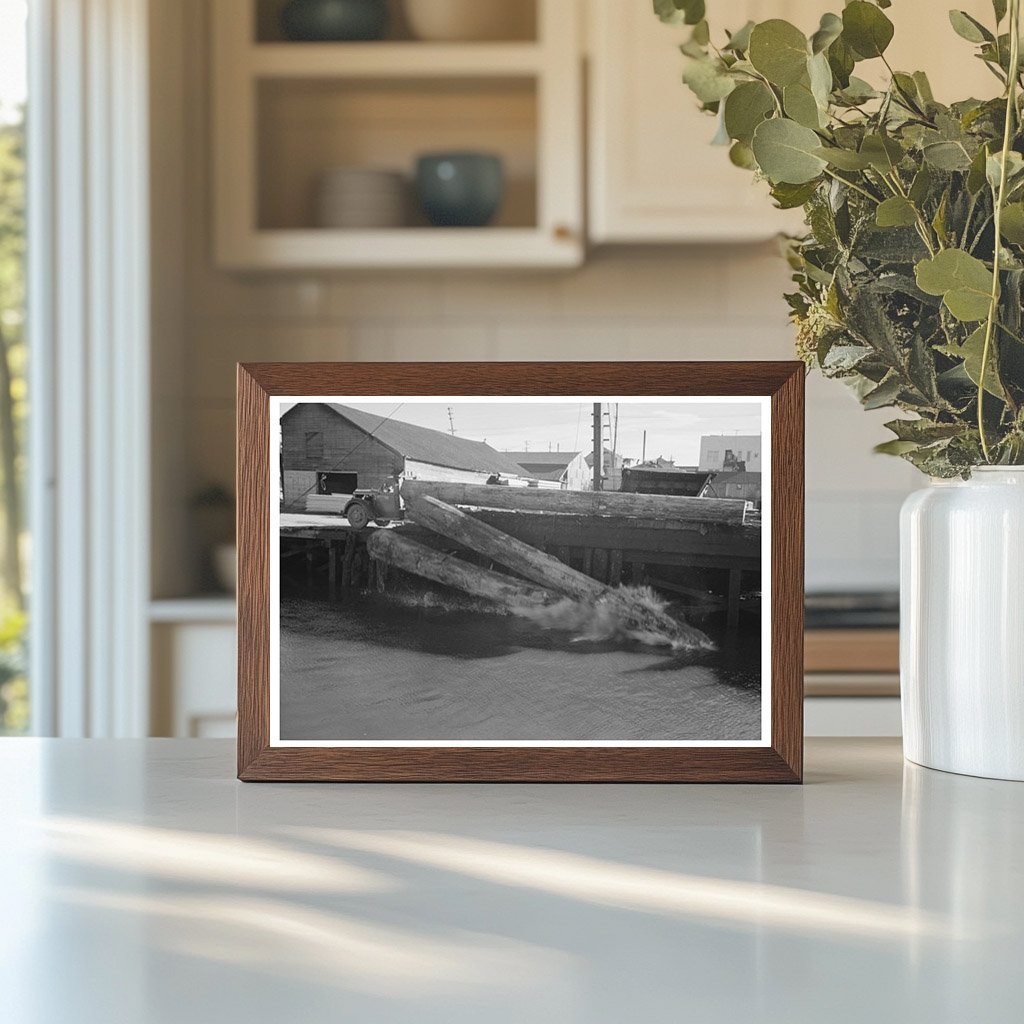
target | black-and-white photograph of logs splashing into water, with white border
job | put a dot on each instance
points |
(517, 572)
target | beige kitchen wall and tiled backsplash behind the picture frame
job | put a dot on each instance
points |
(704, 304)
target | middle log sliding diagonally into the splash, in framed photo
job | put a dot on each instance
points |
(508, 551)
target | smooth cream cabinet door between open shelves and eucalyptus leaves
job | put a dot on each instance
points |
(655, 176)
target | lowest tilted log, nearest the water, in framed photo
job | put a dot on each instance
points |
(391, 547)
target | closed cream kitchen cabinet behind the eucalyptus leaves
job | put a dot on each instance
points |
(654, 176)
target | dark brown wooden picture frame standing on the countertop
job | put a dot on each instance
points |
(777, 758)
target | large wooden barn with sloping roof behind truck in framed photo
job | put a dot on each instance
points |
(334, 450)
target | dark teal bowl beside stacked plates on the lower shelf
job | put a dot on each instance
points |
(460, 190)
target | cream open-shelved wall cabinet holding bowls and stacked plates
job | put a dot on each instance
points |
(287, 113)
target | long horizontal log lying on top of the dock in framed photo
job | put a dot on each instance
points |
(668, 509)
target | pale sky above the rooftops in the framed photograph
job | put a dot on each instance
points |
(674, 426)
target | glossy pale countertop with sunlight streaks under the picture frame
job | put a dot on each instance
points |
(143, 885)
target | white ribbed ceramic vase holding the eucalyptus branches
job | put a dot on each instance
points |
(962, 625)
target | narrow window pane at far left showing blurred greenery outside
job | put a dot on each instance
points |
(14, 397)
